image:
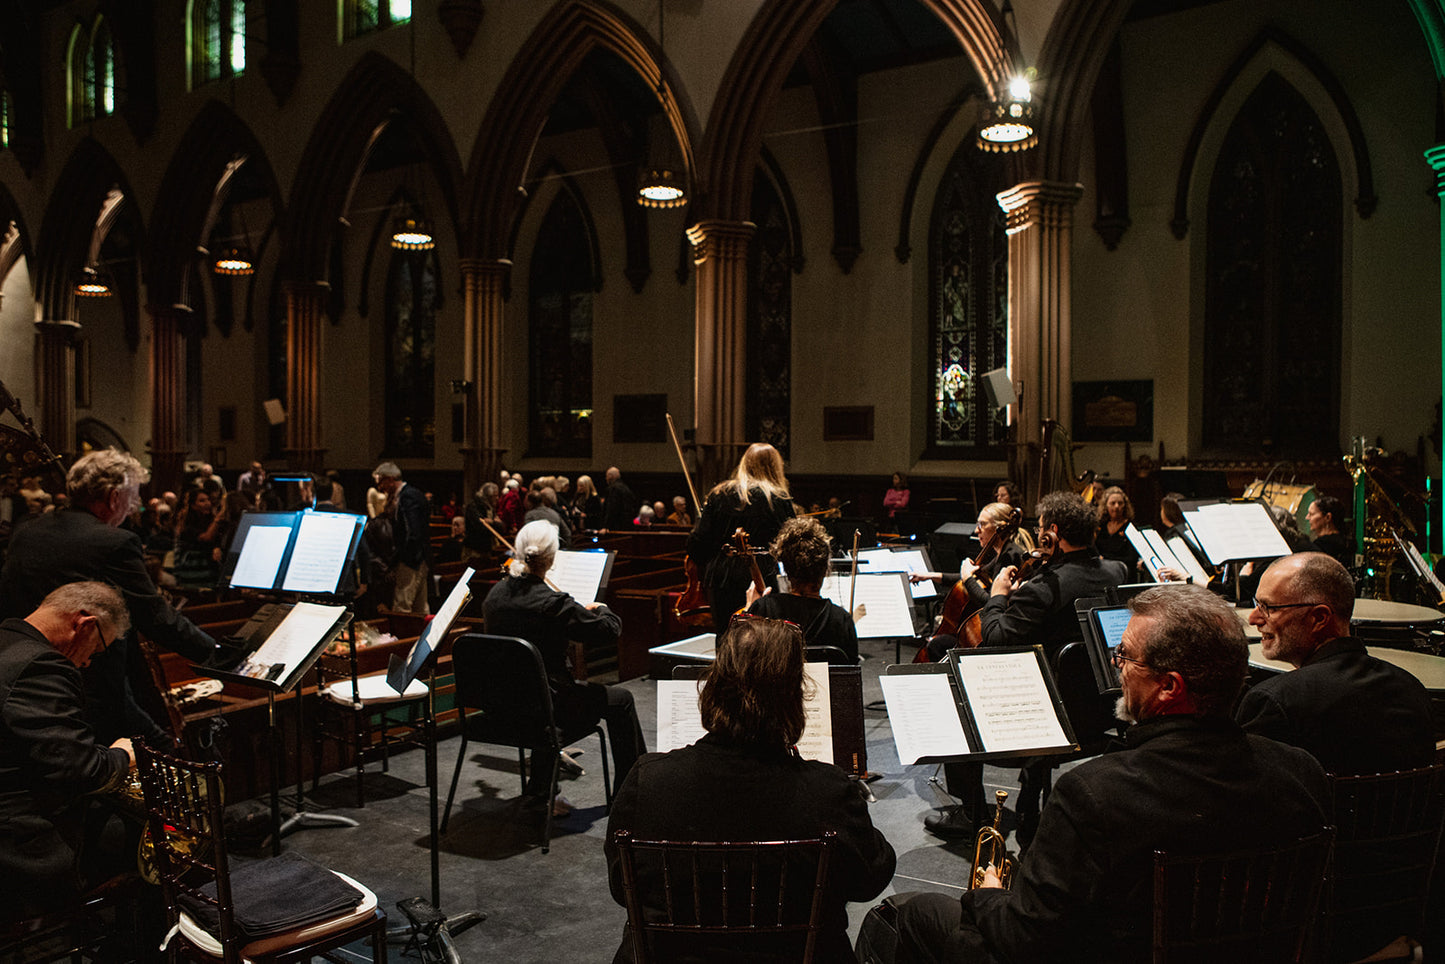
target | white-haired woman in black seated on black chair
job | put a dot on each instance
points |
(524, 605)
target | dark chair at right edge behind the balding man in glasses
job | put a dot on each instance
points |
(1388, 833)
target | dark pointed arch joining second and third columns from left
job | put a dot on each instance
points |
(213, 141)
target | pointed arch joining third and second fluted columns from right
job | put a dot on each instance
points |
(519, 111)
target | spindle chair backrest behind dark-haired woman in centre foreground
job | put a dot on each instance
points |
(690, 895)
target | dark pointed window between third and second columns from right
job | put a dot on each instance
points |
(560, 346)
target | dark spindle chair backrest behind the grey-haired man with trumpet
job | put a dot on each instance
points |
(1255, 905)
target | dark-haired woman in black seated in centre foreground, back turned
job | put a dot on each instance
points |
(745, 781)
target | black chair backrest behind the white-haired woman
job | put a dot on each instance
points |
(502, 692)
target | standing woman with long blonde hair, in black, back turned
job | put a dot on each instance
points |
(756, 501)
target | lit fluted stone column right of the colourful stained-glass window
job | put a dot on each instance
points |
(1041, 223)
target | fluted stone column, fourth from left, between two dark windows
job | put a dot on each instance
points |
(482, 368)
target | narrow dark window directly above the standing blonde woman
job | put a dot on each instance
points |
(769, 320)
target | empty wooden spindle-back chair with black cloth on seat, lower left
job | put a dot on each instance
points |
(186, 814)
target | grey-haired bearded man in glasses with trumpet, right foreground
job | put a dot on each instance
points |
(1181, 783)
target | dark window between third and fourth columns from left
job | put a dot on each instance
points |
(413, 300)
